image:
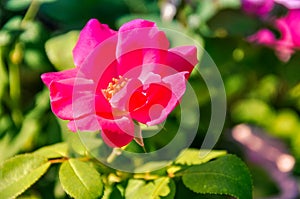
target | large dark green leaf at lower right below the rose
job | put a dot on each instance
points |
(227, 175)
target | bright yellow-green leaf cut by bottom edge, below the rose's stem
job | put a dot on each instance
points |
(163, 187)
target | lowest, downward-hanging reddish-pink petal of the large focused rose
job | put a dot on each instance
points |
(118, 132)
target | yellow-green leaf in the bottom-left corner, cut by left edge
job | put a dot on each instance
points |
(20, 172)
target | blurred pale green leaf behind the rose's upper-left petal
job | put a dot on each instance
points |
(59, 50)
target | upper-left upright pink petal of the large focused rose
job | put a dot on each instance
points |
(91, 35)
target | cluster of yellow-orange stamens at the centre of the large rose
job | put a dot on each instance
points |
(114, 86)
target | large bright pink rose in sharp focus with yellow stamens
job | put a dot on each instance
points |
(120, 77)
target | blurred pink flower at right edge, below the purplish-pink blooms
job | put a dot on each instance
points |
(289, 40)
